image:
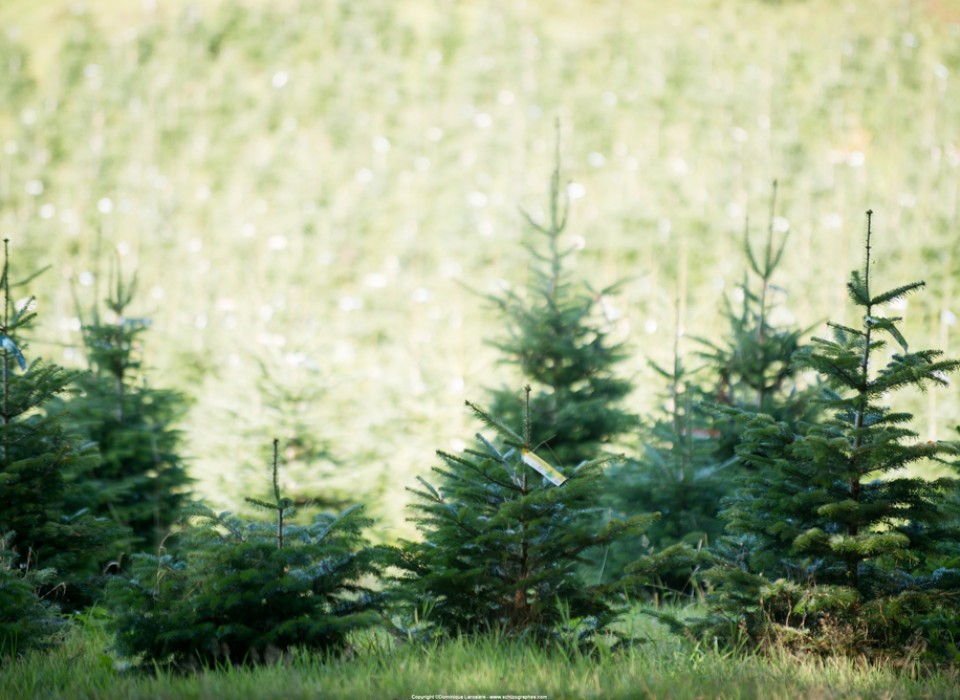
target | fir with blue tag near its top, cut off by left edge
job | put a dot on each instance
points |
(41, 464)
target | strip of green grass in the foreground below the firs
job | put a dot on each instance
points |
(663, 667)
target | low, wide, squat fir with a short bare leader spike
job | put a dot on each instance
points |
(248, 591)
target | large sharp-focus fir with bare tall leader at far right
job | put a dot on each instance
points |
(832, 538)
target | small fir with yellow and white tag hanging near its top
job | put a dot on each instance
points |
(506, 538)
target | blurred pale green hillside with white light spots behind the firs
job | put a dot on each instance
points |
(316, 194)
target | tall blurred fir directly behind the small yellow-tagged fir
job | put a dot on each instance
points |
(560, 342)
